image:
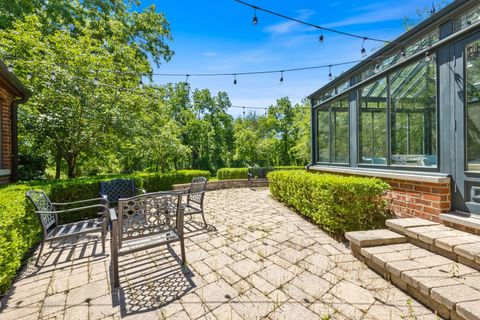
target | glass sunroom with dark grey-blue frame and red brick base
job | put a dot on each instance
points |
(410, 114)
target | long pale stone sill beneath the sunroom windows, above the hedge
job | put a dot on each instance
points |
(389, 174)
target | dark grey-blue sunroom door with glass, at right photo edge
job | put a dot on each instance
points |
(466, 175)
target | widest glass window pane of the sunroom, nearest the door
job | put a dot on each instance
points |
(413, 92)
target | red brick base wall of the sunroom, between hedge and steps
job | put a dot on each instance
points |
(419, 199)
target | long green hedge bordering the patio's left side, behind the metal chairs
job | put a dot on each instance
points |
(20, 228)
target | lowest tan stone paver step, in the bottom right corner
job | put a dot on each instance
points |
(446, 286)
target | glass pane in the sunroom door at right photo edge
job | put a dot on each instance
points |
(473, 106)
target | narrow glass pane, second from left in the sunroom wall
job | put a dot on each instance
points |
(340, 131)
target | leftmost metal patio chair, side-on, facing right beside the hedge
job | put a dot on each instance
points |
(48, 215)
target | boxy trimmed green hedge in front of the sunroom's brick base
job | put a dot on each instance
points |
(336, 203)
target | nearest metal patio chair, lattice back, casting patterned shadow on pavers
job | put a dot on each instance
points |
(146, 221)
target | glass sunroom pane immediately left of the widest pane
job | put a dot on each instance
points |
(373, 123)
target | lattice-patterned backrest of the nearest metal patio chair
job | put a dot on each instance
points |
(150, 213)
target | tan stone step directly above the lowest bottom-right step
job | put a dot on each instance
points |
(451, 243)
